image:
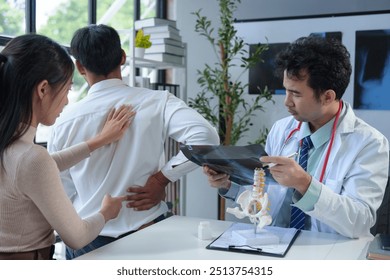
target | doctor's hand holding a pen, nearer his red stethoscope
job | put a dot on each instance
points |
(288, 172)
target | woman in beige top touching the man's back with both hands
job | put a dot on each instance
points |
(35, 77)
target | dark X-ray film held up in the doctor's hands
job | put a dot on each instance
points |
(237, 161)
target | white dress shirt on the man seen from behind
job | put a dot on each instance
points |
(132, 160)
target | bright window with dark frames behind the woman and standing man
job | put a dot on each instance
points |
(59, 20)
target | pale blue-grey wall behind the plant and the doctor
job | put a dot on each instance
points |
(201, 200)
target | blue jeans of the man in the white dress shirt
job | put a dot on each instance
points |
(99, 242)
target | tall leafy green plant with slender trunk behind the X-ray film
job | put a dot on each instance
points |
(232, 115)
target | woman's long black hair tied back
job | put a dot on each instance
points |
(26, 61)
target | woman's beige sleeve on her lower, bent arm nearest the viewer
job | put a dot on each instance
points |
(38, 178)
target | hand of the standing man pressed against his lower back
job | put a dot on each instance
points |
(144, 198)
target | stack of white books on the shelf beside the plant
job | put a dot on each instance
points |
(167, 45)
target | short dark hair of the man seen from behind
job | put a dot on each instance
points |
(97, 48)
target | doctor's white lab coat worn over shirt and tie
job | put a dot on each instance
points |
(354, 182)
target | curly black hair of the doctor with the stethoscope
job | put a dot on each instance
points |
(325, 60)
